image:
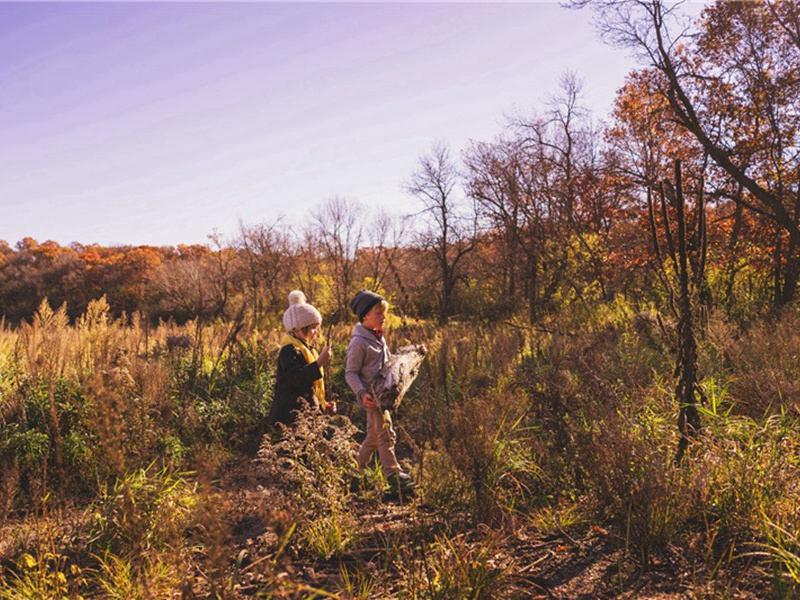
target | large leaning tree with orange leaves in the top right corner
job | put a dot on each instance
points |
(734, 88)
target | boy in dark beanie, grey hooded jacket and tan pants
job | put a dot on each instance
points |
(366, 354)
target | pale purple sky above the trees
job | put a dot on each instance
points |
(160, 123)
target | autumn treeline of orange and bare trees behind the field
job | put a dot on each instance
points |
(558, 212)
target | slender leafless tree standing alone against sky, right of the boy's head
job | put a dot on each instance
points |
(450, 223)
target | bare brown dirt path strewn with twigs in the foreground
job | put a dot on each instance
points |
(558, 566)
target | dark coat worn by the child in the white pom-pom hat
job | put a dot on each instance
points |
(293, 381)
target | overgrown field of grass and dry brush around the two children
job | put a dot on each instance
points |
(136, 464)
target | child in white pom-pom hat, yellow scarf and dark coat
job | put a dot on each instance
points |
(300, 368)
